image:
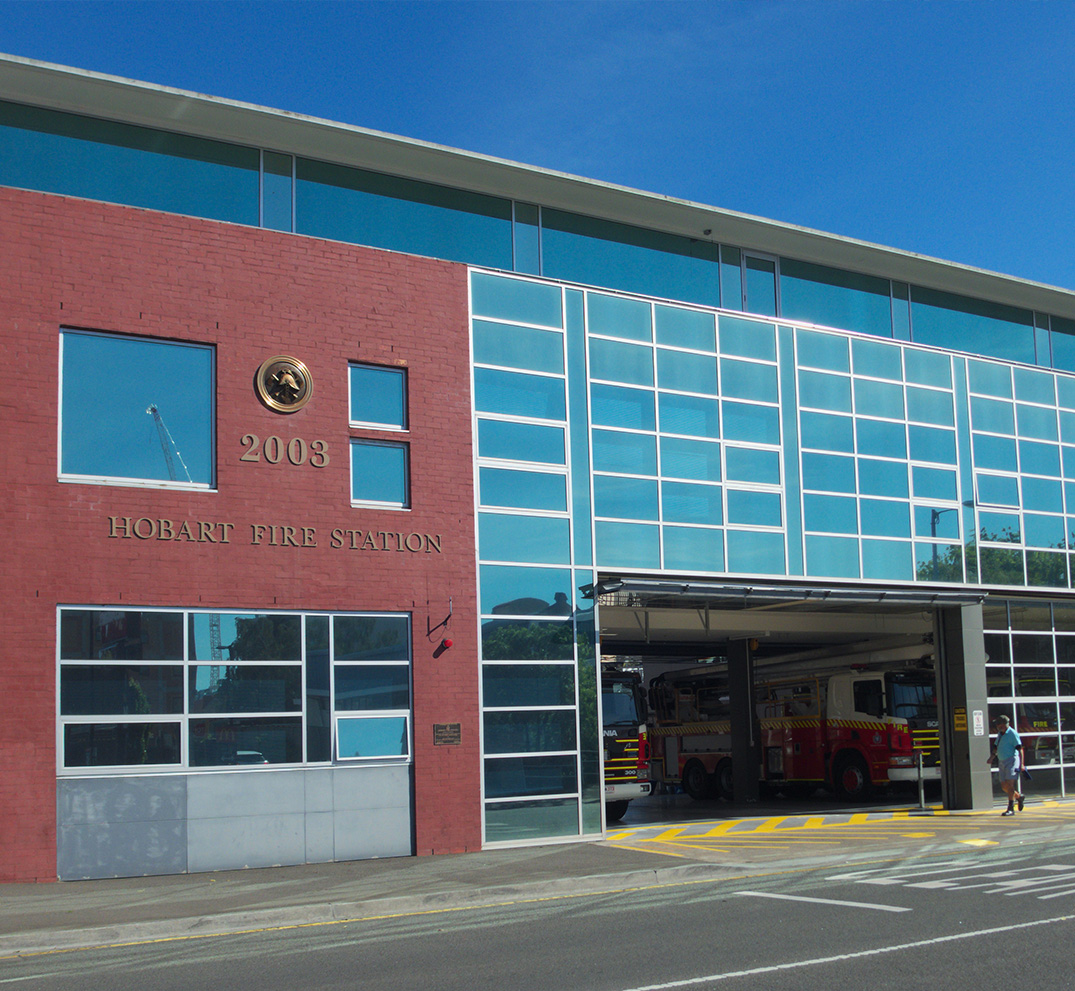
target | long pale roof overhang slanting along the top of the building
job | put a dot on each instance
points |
(77, 91)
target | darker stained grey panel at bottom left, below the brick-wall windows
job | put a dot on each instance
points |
(121, 827)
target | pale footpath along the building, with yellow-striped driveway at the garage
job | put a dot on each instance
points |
(68, 915)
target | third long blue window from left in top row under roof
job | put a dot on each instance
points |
(601, 253)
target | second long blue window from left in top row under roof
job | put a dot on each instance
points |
(400, 214)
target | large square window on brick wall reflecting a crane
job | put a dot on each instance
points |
(159, 424)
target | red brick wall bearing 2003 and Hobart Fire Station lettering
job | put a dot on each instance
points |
(253, 294)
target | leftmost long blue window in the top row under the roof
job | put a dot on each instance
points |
(54, 152)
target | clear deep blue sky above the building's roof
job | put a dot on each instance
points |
(944, 128)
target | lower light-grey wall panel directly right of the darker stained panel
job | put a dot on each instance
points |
(230, 844)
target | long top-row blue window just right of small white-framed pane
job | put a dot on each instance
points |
(819, 295)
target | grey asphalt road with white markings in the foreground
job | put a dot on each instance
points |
(988, 918)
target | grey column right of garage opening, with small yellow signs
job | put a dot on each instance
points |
(964, 709)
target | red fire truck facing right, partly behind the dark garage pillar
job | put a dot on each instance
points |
(830, 730)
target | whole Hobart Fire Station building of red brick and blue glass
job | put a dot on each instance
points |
(338, 461)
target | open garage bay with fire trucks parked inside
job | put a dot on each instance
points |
(734, 700)
